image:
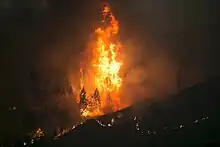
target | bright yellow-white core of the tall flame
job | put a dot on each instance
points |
(107, 67)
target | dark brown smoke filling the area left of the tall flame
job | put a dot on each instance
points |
(39, 52)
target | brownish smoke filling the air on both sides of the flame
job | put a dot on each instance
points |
(168, 46)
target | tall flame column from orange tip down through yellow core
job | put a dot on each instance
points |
(107, 66)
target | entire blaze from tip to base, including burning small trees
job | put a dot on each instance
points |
(106, 65)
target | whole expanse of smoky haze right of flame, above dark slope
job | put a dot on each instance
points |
(167, 45)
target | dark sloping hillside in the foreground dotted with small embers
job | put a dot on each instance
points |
(191, 118)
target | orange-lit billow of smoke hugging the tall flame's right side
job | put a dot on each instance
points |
(147, 74)
